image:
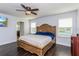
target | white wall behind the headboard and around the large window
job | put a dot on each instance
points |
(53, 20)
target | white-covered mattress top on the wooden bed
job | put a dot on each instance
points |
(39, 41)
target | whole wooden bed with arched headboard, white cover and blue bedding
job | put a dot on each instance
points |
(38, 44)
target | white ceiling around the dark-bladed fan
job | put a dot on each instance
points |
(44, 8)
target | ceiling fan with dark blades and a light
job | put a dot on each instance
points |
(28, 10)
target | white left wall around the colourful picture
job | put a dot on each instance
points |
(8, 34)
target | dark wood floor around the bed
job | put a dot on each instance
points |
(12, 50)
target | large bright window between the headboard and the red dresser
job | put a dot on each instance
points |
(65, 27)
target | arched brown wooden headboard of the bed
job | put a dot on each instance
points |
(46, 28)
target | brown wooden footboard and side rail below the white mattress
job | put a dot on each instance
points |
(34, 49)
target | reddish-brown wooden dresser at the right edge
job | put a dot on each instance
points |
(75, 45)
